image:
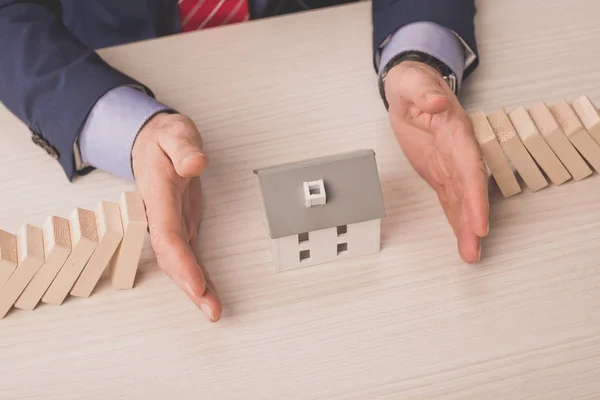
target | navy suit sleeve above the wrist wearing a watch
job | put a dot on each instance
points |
(456, 15)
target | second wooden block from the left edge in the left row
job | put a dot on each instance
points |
(30, 249)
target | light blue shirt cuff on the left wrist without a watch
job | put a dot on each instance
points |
(107, 137)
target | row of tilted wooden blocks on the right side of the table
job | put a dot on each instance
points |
(562, 140)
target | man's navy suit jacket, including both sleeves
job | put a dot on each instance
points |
(51, 77)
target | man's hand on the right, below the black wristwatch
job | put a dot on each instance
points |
(436, 136)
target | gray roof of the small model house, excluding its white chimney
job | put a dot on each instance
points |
(352, 187)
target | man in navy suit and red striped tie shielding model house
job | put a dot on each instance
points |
(88, 115)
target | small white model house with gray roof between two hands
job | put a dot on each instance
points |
(323, 209)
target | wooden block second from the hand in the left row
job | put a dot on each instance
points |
(110, 234)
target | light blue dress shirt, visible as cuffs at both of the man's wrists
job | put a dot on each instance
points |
(107, 137)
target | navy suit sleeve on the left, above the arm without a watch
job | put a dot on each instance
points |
(48, 78)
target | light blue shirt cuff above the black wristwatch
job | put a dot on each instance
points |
(430, 38)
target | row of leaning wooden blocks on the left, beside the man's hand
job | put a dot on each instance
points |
(70, 255)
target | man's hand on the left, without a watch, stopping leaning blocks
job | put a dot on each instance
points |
(167, 160)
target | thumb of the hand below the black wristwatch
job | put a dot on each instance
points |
(420, 85)
